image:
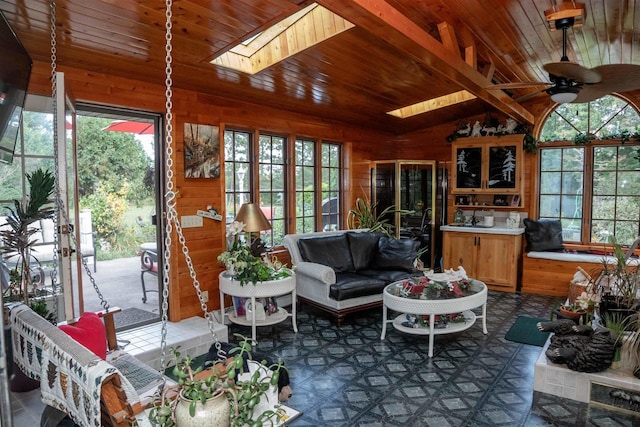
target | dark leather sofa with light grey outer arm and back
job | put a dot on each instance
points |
(346, 271)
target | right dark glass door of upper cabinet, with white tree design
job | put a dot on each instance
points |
(503, 167)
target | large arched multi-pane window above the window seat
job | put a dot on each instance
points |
(589, 171)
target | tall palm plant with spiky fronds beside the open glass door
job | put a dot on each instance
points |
(18, 237)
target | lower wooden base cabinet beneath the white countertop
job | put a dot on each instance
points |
(490, 258)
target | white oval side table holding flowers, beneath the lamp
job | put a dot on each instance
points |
(273, 288)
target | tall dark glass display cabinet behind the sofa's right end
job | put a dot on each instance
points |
(408, 185)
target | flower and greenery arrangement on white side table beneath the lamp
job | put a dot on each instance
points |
(243, 265)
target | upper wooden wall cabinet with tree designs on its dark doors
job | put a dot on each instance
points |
(489, 168)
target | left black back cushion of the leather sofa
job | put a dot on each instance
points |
(331, 250)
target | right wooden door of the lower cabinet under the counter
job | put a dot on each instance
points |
(497, 262)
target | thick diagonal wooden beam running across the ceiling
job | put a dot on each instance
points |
(382, 20)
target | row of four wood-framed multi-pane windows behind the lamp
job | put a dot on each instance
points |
(270, 175)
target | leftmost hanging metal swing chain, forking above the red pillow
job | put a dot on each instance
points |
(58, 199)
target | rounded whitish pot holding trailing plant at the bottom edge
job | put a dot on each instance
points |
(214, 412)
